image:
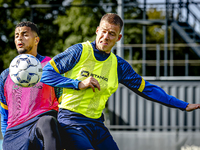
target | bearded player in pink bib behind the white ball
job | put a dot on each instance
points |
(28, 115)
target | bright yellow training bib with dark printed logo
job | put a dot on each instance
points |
(87, 102)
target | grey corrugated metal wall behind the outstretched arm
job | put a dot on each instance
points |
(128, 111)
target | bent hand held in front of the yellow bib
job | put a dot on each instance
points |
(89, 82)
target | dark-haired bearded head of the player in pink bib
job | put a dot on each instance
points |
(26, 38)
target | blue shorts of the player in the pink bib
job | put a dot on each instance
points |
(24, 136)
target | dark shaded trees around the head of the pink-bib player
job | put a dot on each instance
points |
(13, 12)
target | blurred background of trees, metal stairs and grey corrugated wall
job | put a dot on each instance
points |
(160, 40)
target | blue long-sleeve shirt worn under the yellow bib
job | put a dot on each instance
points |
(66, 60)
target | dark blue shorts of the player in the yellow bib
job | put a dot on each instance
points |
(82, 133)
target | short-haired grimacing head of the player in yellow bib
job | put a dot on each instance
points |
(108, 32)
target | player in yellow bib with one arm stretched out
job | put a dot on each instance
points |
(91, 74)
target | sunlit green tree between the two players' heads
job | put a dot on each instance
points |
(79, 22)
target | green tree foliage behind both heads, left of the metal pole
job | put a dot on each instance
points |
(65, 23)
